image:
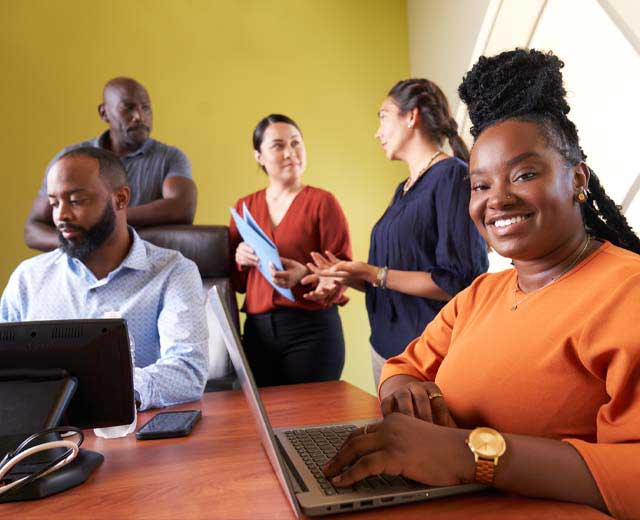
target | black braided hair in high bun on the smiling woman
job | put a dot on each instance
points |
(527, 85)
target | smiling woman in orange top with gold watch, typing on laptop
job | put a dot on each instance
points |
(529, 380)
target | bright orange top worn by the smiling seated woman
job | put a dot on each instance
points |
(564, 365)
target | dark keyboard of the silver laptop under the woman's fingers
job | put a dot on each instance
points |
(317, 445)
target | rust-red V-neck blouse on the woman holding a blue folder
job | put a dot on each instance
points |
(313, 222)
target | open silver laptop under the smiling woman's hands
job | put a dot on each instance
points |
(297, 454)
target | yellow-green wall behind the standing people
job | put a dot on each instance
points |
(212, 69)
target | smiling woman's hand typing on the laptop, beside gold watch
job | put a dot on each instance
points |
(403, 445)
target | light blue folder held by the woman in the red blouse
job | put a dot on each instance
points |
(263, 247)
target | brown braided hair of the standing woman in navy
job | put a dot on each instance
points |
(435, 117)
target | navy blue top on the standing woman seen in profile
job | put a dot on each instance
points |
(427, 229)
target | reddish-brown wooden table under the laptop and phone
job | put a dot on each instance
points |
(221, 472)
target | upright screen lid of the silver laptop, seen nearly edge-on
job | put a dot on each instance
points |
(217, 307)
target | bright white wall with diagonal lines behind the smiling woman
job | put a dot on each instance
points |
(598, 39)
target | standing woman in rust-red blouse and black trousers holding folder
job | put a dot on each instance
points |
(299, 341)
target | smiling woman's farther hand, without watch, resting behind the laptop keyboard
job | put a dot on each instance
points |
(420, 399)
